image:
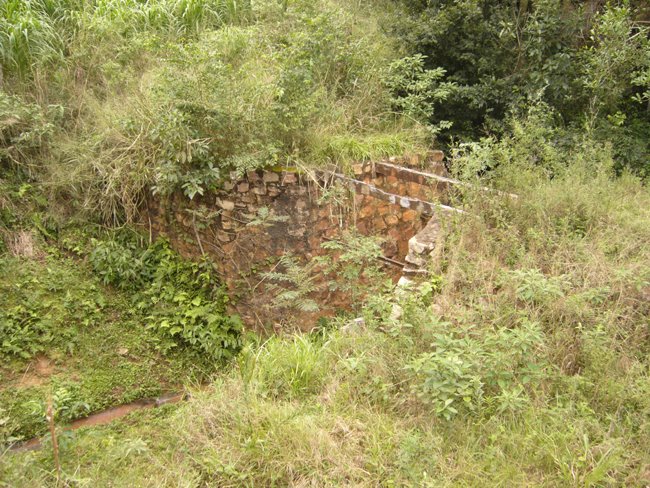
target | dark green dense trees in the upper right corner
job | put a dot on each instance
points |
(587, 61)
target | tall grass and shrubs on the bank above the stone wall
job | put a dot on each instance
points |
(169, 95)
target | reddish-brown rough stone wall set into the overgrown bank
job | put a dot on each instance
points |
(253, 220)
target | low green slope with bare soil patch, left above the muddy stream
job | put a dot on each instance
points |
(99, 354)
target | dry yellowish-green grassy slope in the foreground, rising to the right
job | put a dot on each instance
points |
(535, 332)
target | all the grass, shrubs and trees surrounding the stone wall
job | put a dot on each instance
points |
(522, 360)
